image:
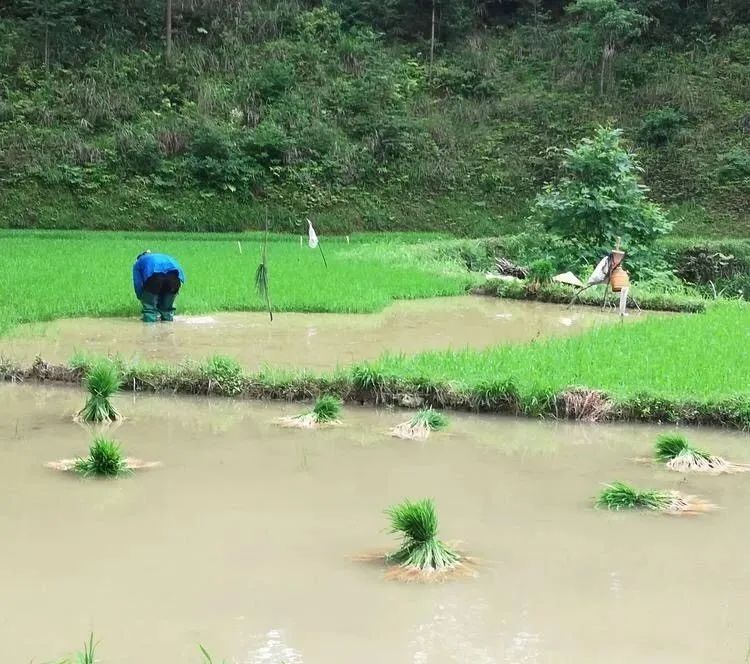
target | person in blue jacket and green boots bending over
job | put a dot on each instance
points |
(156, 280)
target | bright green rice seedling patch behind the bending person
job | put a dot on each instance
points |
(45, 276)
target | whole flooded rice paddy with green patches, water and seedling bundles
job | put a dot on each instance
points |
(148, 527)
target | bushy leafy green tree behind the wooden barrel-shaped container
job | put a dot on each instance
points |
(599, 198)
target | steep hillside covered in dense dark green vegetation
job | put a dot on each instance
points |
(273, 110)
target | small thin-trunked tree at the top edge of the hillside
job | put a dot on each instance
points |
(605, 25)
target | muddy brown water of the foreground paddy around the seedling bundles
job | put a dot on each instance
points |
(241, 541)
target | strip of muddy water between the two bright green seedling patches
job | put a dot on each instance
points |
(313, 341)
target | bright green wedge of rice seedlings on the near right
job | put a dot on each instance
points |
(699, 356)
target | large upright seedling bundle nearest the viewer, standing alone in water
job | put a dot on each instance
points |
(422, 556)
